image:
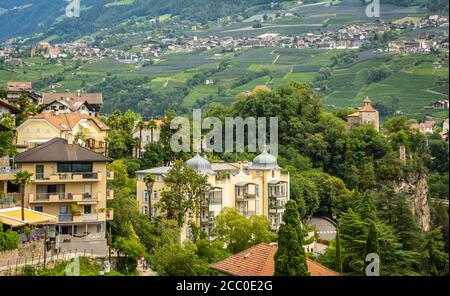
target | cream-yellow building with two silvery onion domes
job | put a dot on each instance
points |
(256, 188)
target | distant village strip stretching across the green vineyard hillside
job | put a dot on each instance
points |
(353, 36)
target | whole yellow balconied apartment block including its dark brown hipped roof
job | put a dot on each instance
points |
(69, 182)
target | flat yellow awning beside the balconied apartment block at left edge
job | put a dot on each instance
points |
(13, 217)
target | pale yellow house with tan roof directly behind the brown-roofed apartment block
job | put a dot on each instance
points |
(43, 127)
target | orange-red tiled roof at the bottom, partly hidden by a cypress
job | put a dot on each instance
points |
(259, 261)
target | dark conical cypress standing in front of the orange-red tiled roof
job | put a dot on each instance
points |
(290, 258)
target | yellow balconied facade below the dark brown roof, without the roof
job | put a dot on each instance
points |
(79, 200)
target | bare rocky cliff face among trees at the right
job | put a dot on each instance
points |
(416, 188)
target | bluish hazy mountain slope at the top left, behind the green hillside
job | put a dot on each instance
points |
(41, 15)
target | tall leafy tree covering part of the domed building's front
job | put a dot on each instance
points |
(186, 190)
